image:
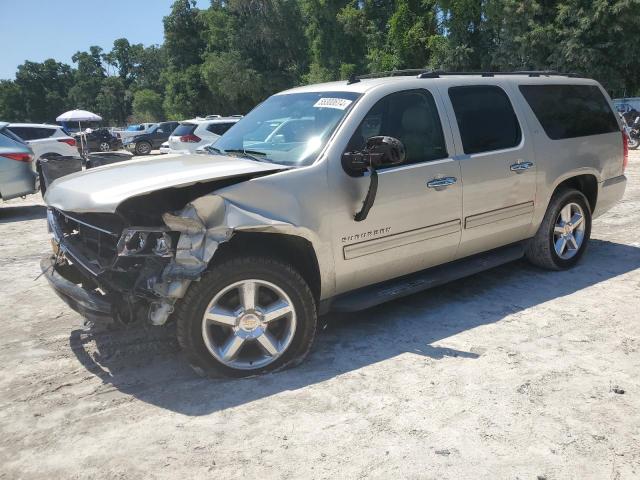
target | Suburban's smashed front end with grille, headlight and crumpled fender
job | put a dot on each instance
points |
(132, 272)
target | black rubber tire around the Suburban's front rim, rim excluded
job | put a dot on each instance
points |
(190, 311)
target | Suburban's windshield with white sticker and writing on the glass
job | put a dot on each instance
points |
(288, 129)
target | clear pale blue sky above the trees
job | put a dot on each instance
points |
(39, 29)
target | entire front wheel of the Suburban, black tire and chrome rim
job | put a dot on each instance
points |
(247, 316)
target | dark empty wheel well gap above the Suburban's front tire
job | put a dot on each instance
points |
(291, 249)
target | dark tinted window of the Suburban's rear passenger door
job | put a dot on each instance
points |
(485, 118)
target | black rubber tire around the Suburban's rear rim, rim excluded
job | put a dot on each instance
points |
(540, 249)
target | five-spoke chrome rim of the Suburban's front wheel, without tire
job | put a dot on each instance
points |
(249, 324)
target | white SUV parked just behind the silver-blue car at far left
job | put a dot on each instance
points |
(45, 140)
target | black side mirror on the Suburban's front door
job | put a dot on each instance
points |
(378, 152)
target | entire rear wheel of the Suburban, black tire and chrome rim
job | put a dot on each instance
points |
(564, 233)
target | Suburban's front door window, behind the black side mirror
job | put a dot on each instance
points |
(411, 117)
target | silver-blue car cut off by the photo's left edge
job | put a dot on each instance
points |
(16, 174)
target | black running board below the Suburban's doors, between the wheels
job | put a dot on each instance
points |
(373, 295)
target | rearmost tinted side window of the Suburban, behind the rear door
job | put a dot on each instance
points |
(570, 111)
